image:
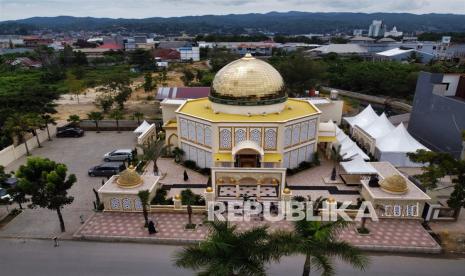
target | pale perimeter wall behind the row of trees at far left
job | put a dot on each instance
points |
(12, 153)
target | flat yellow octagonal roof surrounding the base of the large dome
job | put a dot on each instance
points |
(294, 109)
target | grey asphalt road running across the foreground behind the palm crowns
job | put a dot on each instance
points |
(40, 257)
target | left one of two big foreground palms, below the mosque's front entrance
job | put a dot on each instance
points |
(229, 252)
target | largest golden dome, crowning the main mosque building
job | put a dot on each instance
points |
(248, 81)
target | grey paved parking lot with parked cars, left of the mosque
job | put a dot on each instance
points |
(79, 154)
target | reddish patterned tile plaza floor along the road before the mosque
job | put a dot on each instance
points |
(386, 234)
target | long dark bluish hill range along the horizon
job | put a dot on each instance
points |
(283, 23)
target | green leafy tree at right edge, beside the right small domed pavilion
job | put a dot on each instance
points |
(439, 165)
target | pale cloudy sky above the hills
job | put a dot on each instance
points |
(17, 9)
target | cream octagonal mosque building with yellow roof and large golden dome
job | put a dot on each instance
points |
(248, 130)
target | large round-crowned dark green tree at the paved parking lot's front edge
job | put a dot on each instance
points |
(48, 183)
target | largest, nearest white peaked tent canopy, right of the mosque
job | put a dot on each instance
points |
(399, 140)
